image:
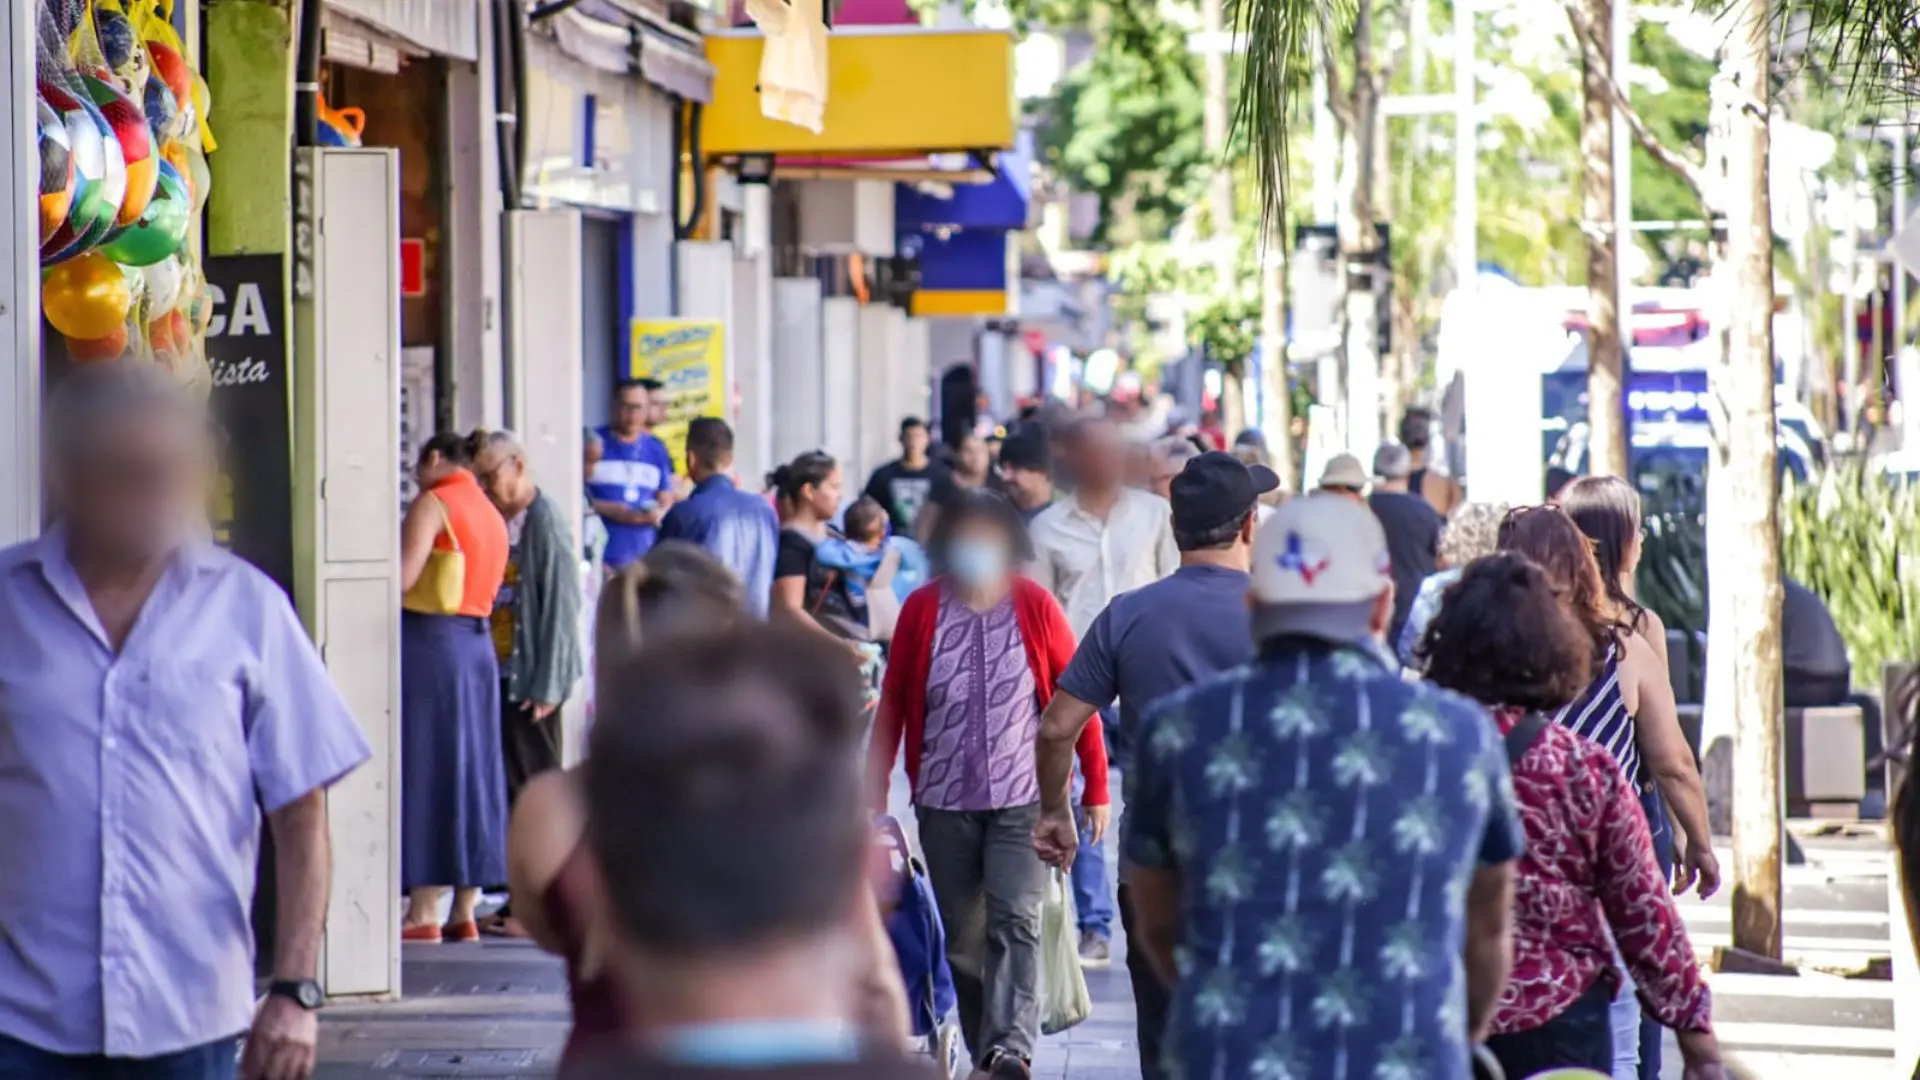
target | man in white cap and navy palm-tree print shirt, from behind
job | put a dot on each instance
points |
(1328, 847)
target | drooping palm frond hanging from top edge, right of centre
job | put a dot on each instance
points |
(1276, 37)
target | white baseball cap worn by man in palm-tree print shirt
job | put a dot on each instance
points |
(1320, 566)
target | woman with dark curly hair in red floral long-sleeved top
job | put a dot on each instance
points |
(1589, 877)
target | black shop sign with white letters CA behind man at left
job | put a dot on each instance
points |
(249, 358)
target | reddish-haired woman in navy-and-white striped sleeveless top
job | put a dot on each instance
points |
(1629, 710)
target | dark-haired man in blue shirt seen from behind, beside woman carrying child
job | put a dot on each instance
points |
(736, 528)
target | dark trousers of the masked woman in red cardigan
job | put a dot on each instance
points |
(990, 889)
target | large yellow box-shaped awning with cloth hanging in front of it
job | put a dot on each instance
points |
(892, 91)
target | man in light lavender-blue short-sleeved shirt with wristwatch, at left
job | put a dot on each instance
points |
(158, 697)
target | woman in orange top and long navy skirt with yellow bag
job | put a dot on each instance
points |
(454, 785)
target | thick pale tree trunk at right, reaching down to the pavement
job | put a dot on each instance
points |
(1742, 501)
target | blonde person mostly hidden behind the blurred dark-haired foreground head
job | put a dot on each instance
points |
(673, 593)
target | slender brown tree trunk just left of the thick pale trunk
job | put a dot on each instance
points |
(1606, 418)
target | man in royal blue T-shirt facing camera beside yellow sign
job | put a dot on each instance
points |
(633, 483)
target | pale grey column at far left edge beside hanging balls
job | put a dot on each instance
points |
(20, 280)
